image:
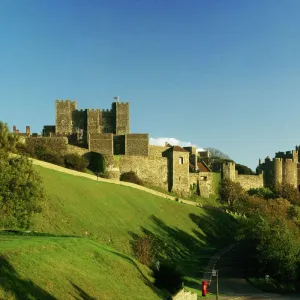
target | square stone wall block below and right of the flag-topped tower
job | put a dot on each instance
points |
(137, 144)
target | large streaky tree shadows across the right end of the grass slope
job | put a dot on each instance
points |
(190, 251)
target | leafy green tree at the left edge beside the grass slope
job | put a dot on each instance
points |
(21, 187)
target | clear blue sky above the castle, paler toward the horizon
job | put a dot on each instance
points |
(222, 74)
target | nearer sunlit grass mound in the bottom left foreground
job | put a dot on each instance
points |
(36, 267)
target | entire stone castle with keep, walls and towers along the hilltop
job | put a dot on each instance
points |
(173, 168)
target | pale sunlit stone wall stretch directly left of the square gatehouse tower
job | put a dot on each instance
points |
(151, 170)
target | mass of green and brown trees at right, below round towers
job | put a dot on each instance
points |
(271, 227)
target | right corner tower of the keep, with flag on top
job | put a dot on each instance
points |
(121, 110)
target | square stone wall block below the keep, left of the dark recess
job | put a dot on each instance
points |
(101, 143)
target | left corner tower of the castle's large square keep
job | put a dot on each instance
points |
(64, 116)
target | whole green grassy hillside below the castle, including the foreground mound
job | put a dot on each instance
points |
(105, 219)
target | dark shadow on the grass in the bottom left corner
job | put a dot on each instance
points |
(12, 283)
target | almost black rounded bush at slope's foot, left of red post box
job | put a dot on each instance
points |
(168, 277)
